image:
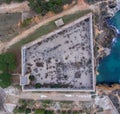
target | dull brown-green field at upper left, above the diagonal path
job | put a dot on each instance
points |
(9, 25)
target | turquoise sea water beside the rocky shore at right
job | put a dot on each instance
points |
(109, 67)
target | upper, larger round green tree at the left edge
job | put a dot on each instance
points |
(7, 62)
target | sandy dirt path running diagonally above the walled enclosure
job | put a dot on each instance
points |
(79, 6)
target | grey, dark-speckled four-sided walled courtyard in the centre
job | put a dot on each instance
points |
(62, 59)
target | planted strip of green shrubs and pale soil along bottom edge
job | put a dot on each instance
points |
(29, 106)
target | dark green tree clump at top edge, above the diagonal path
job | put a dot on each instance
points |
(43, 7)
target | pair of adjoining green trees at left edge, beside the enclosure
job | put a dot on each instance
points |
(7, 64)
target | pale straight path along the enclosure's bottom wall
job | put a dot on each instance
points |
(56, 96)
